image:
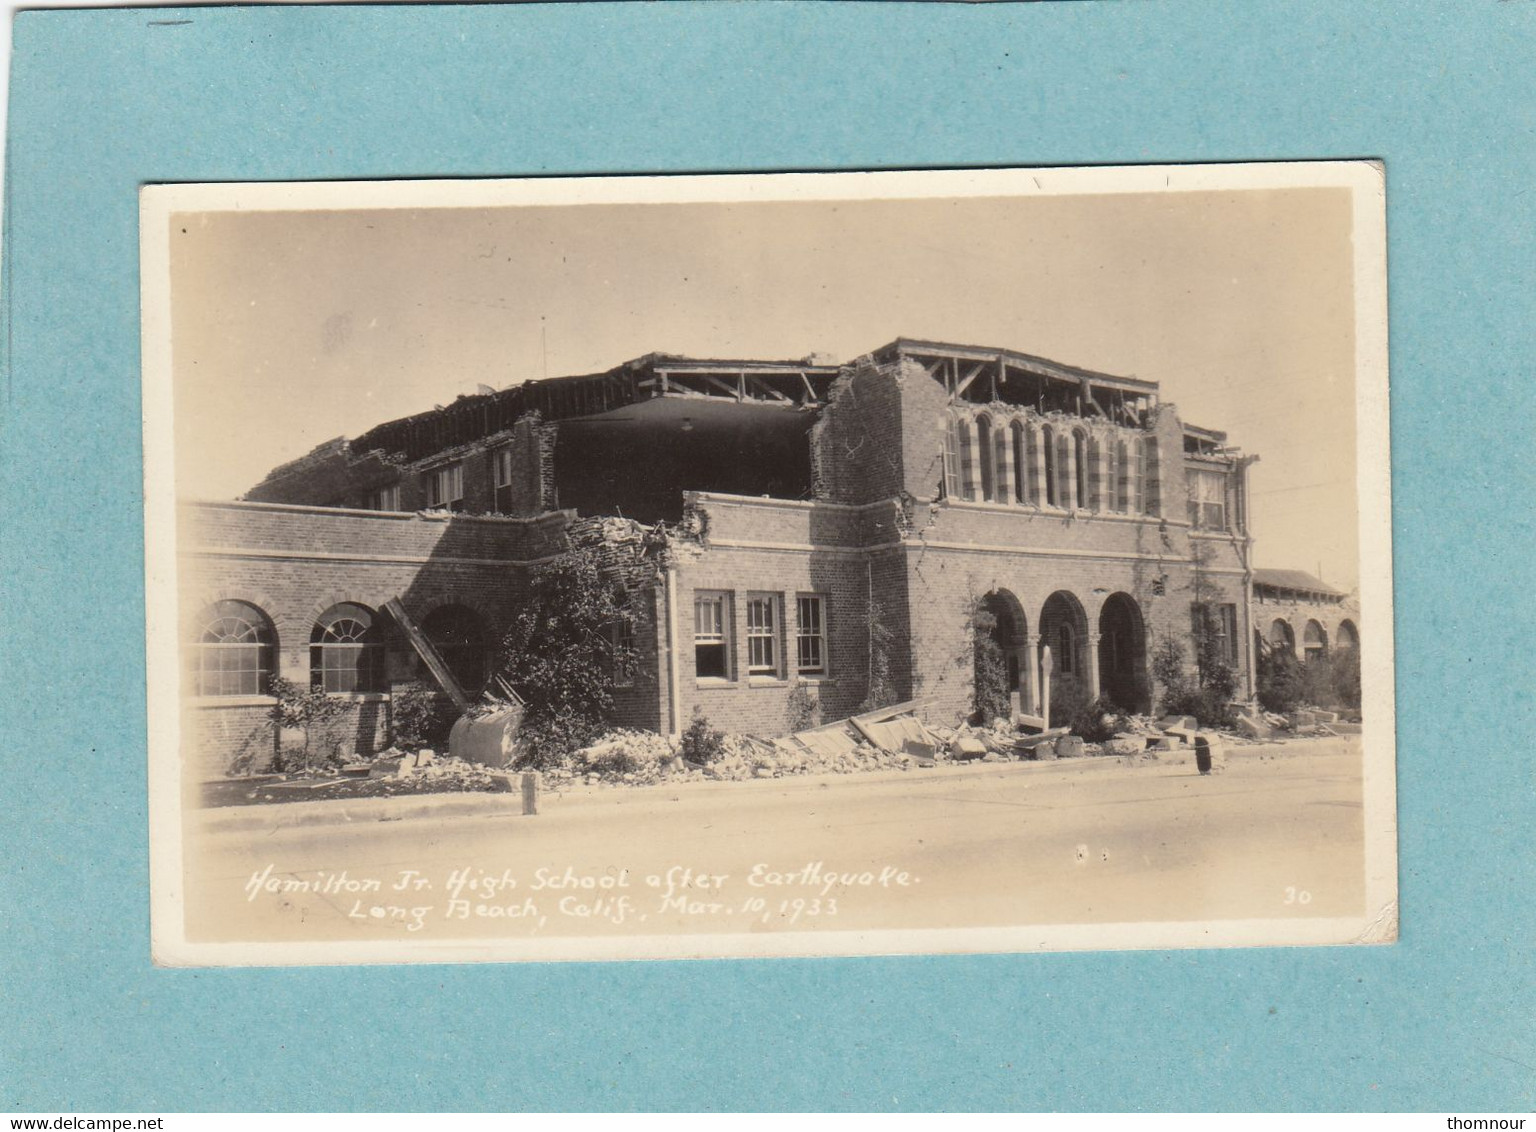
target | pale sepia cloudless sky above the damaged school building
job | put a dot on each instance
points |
(291, 328)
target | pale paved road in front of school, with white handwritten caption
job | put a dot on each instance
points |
(1277, 835)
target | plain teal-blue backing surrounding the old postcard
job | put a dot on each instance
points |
(107, 101)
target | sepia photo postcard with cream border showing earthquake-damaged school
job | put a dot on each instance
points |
(760, 566)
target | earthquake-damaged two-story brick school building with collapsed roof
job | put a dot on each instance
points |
(780, 509)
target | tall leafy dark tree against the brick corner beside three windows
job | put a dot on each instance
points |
(561, 655)
